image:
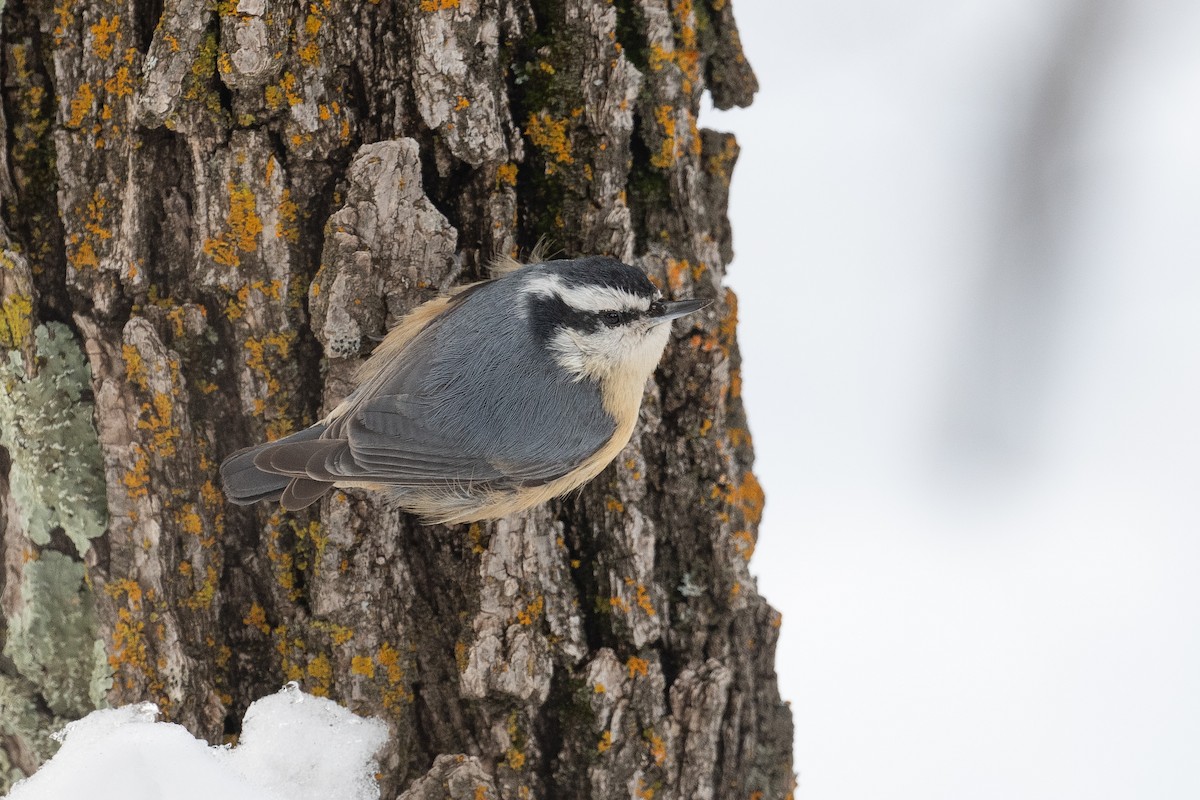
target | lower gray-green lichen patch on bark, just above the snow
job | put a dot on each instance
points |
(53, 640)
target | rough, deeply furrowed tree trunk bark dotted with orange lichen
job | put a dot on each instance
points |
(212, 213)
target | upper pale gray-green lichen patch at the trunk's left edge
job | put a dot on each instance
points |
(57, 477)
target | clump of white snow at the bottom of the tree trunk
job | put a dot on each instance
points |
(293, 747)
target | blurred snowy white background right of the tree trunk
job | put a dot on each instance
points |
(968, 249)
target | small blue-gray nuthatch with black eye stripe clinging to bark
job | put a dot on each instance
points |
(484, 402)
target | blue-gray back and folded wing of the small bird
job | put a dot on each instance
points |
(472, 398)
